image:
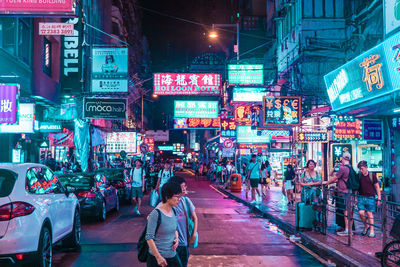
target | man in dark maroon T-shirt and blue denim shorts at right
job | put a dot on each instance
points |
(369, 187)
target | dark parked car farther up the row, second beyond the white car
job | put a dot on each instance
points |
(121, 180)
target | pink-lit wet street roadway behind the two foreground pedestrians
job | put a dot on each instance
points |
(229, 235)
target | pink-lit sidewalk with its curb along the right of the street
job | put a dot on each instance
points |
(362, 252)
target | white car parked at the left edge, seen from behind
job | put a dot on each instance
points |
(35, 213)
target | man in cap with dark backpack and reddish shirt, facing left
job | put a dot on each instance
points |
(347, 182)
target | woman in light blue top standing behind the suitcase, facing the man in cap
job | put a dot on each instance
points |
(311, 181)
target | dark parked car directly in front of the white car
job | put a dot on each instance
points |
(95, 193)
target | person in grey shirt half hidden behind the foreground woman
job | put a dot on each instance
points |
(184, 211)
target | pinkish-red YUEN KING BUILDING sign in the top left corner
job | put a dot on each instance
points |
(39, 7)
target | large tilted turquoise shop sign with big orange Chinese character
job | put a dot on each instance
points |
(372, 74)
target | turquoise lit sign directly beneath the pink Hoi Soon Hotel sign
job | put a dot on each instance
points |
(196, 109)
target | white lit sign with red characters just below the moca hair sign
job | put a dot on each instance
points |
(117, 141)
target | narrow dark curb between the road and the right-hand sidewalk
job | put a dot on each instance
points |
(308, 241)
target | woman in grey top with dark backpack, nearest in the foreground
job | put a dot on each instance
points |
(163, 244)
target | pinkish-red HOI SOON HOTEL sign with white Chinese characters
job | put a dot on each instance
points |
(186, 83)
